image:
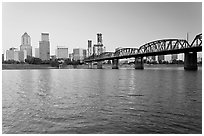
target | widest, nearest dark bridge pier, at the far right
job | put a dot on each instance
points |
(190, 61)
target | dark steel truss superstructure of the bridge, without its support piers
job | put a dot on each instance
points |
(158, 47)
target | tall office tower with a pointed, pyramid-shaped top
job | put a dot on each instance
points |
(26, 44)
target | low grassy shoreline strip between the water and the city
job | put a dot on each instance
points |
(105, 66)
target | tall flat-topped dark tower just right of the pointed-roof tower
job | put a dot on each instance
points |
(44, 47)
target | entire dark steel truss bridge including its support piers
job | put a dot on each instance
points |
(158, 47)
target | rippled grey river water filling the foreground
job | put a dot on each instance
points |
(154, 100)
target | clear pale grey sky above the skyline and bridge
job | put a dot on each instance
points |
(122, 24)
